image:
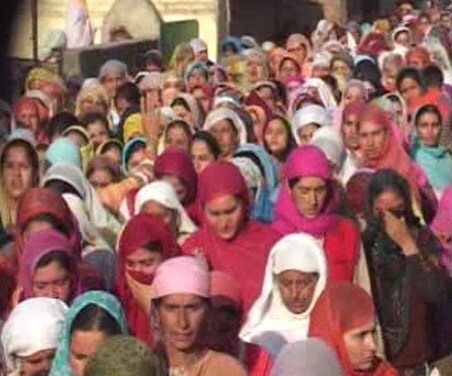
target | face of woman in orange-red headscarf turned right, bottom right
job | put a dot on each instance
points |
(361, 346)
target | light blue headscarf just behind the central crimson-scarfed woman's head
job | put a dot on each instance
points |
(262, 209)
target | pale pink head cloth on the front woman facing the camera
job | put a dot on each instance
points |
(184, 274)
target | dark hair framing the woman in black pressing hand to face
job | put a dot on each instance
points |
(385, 180)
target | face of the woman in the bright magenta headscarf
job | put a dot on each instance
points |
(309, 195)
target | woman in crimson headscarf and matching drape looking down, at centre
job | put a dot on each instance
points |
(228, 237)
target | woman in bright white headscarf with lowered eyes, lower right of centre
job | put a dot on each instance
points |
(295, 276)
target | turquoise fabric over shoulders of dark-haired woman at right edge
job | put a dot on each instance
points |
(436, 162)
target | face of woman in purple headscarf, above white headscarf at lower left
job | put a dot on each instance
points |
(52, 281)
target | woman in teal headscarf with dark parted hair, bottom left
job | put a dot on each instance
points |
(92, 318)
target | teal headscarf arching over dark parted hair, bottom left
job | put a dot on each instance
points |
(106, 301)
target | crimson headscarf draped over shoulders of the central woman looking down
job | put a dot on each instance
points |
(244, 257)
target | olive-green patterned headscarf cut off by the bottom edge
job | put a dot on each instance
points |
(123, 356)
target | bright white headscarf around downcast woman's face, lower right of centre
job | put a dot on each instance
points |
(270, 324)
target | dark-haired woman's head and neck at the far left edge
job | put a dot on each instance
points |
(19, 169)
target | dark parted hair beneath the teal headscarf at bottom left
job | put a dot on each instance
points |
(94, 317)
